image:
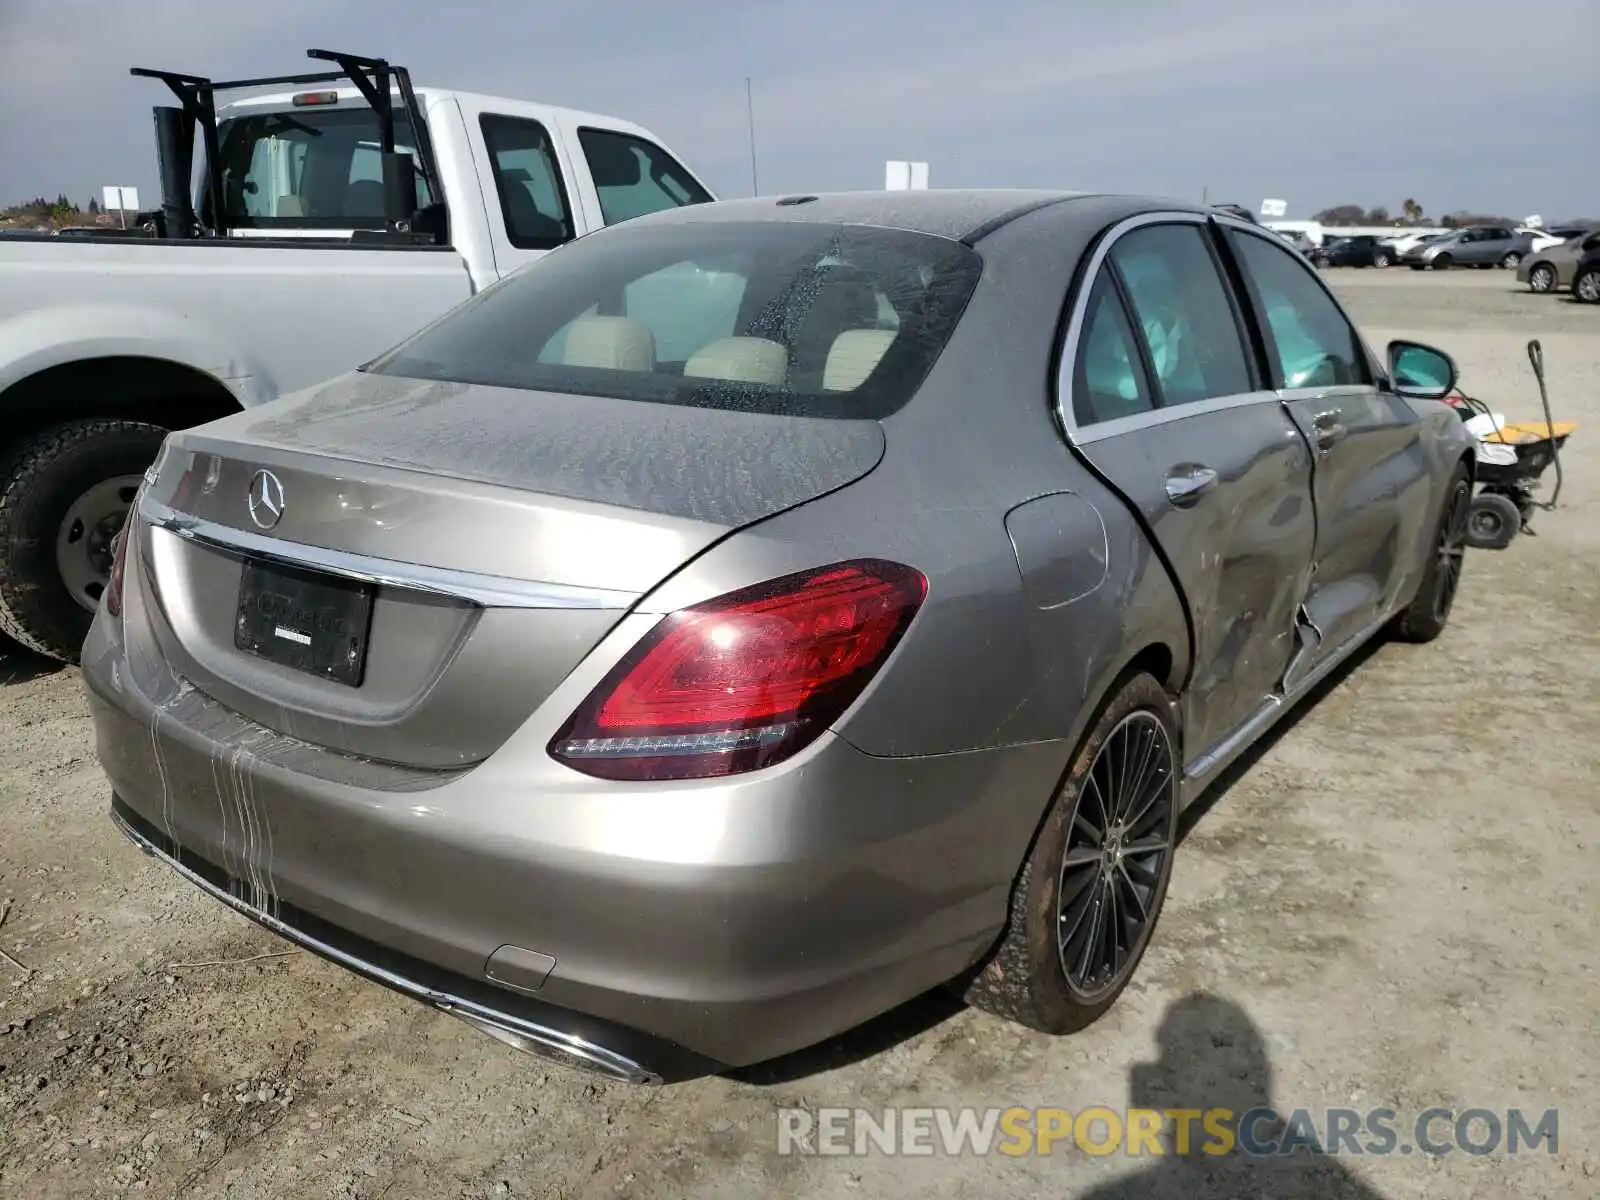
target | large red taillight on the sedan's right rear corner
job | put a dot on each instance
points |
(745, 681)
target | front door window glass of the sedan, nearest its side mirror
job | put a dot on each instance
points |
(1311, 342)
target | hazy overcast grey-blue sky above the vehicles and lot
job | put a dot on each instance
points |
(1462, 105)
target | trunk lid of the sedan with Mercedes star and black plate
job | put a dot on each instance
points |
(466, 545)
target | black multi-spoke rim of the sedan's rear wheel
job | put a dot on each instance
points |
(1118, 854)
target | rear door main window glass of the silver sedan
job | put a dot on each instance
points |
(1185, 316)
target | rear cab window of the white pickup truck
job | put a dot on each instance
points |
(311, 169)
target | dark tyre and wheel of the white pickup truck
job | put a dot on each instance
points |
(65, 495)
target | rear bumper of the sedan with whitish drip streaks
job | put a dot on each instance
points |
(716, 922)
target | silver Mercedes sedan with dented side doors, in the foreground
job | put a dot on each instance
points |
(756, 615)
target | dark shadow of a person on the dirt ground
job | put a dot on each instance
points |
(1214, 1058)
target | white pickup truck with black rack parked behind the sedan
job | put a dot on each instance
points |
(350, 218)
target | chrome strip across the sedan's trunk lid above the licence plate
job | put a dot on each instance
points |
(490, 591)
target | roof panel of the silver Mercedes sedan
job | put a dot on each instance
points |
(956, 214)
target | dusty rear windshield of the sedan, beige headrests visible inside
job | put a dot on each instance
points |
(770, 318)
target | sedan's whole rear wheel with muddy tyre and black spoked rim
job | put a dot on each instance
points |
(1092, 889)
